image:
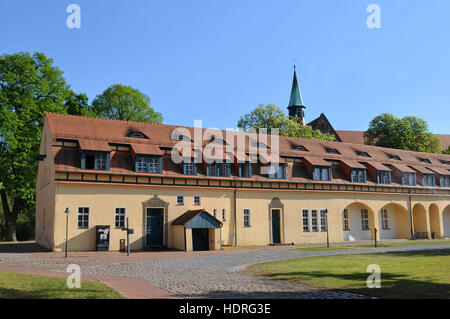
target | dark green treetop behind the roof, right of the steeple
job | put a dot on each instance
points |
(407, 133)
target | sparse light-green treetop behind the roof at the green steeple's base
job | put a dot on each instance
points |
(269, 117)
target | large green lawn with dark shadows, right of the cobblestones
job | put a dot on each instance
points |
(413, 274)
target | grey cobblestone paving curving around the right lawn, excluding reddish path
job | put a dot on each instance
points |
(222, 276)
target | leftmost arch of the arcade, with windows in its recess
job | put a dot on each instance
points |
(357, 222)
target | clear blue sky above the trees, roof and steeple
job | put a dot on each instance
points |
(215, 60)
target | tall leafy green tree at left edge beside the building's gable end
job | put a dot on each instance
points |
(29, 86)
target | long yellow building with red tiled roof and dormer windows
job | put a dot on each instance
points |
(106, 171)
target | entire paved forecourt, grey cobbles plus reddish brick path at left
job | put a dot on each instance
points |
(187, 275)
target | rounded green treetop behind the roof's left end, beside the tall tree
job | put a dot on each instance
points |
(121, 102)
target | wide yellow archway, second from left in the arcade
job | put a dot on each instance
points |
(394, 222)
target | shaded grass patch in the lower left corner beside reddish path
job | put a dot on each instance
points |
(25, 286)
